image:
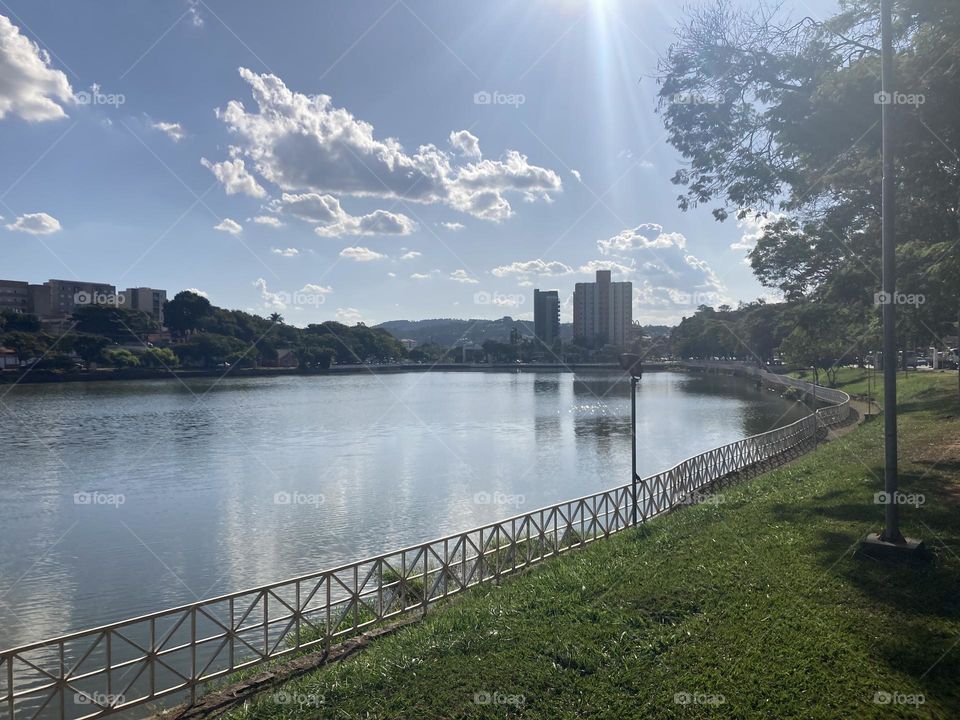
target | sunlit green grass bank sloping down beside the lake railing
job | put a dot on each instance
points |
(758, 601)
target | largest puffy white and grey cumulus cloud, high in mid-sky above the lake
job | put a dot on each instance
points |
(305, 144)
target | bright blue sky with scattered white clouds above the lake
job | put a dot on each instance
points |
(354, 161)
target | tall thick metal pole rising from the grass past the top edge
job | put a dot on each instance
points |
(891, 530)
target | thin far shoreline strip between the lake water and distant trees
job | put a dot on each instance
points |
(35, 377)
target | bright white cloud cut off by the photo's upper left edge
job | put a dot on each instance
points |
(29, 87)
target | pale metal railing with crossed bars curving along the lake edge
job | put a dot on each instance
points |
(174, 654)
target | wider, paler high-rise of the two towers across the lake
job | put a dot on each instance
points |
(603, 311)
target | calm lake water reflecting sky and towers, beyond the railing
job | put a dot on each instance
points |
(123, 498)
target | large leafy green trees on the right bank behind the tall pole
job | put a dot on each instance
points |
(779, 122)
